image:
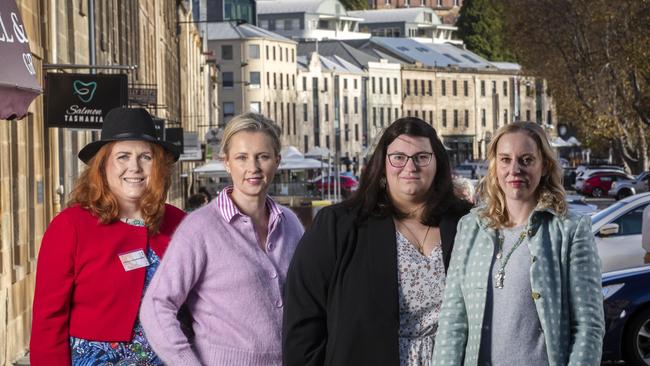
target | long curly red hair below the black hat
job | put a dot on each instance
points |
(91, 190)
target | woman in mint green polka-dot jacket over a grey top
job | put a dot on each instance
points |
(524, 283)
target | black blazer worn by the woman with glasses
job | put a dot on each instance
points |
(341, 293)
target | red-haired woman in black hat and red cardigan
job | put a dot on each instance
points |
(99, 254)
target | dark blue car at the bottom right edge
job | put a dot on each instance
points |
(627, 316)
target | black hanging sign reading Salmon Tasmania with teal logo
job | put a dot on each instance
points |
(82, 100)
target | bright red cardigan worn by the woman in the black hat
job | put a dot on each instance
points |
(82, 289)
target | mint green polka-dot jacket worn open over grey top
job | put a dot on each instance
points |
(565, 279)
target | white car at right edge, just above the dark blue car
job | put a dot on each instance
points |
(618, 233)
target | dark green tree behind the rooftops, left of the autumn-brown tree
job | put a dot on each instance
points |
(480, 26)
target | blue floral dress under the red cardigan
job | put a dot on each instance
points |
(137, 352)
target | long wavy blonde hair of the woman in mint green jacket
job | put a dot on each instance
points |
(550, 192)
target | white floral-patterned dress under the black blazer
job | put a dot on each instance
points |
(421, 282)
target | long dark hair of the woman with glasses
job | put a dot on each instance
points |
(440, 199)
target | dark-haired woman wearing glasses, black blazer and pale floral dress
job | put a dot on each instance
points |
(365, 284)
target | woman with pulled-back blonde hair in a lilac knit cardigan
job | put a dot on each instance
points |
(228, 262)
